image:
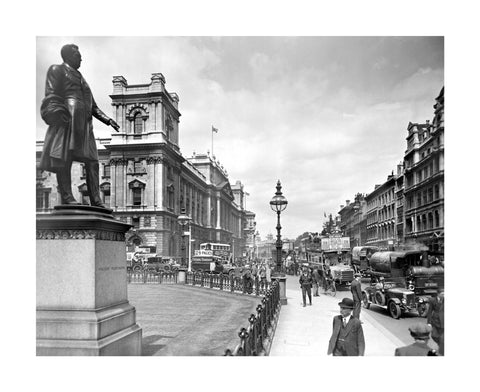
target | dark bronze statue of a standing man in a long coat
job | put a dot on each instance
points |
(68, 108)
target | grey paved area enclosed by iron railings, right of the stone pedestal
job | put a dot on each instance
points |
(188, 321)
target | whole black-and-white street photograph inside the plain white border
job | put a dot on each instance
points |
(191, 195)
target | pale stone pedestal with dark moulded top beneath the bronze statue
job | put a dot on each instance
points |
(81, 280)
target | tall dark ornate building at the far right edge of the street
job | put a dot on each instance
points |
(424, 182)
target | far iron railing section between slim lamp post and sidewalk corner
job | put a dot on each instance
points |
(234, 284)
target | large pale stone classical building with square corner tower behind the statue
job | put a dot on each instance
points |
(146, 180)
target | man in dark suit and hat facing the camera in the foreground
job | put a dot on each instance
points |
(347, 337)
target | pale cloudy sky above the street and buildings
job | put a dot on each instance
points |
(327, 116)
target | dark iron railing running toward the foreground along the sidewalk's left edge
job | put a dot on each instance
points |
(256, 339)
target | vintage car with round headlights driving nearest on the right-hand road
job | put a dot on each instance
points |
(392, 295)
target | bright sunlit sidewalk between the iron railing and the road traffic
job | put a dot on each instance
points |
(306, 331)
